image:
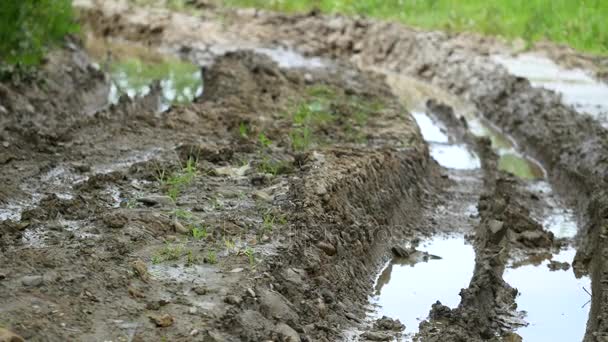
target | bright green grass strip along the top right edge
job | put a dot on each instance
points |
(581, 24)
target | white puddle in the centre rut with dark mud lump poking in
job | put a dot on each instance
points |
(406, 289)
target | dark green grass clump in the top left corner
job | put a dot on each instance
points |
(29, 27)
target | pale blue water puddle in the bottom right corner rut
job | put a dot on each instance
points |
(555, 302)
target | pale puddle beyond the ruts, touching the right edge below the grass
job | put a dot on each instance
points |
(577, 88)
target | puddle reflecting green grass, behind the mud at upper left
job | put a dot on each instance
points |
(133, 69)
